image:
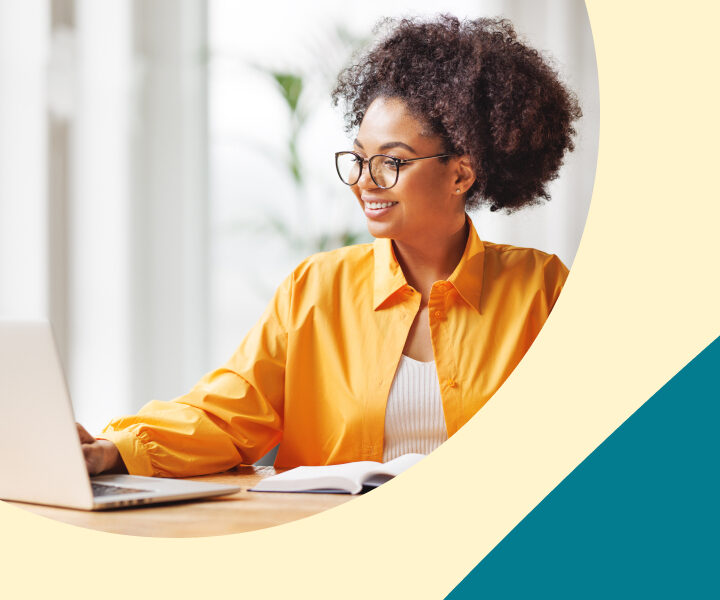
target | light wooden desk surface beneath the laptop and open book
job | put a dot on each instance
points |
(243, 511)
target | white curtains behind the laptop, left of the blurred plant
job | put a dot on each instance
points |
(103, 191)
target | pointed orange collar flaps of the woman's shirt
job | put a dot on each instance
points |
(466, 278)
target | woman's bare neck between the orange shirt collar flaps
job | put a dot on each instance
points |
(432, 258)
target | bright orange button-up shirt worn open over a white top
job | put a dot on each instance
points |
(315, 372)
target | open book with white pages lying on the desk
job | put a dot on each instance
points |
(348, 478)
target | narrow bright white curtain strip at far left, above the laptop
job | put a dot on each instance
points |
(23, 157)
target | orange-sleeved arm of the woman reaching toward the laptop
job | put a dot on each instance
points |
(233, 415)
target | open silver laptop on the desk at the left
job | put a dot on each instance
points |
(41, 459)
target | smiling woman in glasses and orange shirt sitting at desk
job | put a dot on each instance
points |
(374, 350)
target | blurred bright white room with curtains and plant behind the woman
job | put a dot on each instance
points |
(164, 164)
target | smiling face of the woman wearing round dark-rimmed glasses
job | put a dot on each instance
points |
(424, 201)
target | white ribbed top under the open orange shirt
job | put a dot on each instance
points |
(414, 418)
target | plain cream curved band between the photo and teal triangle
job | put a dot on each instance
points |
(641, 301)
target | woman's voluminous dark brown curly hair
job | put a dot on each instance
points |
(479, 88)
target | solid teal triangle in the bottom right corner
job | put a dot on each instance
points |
(637, 519)
